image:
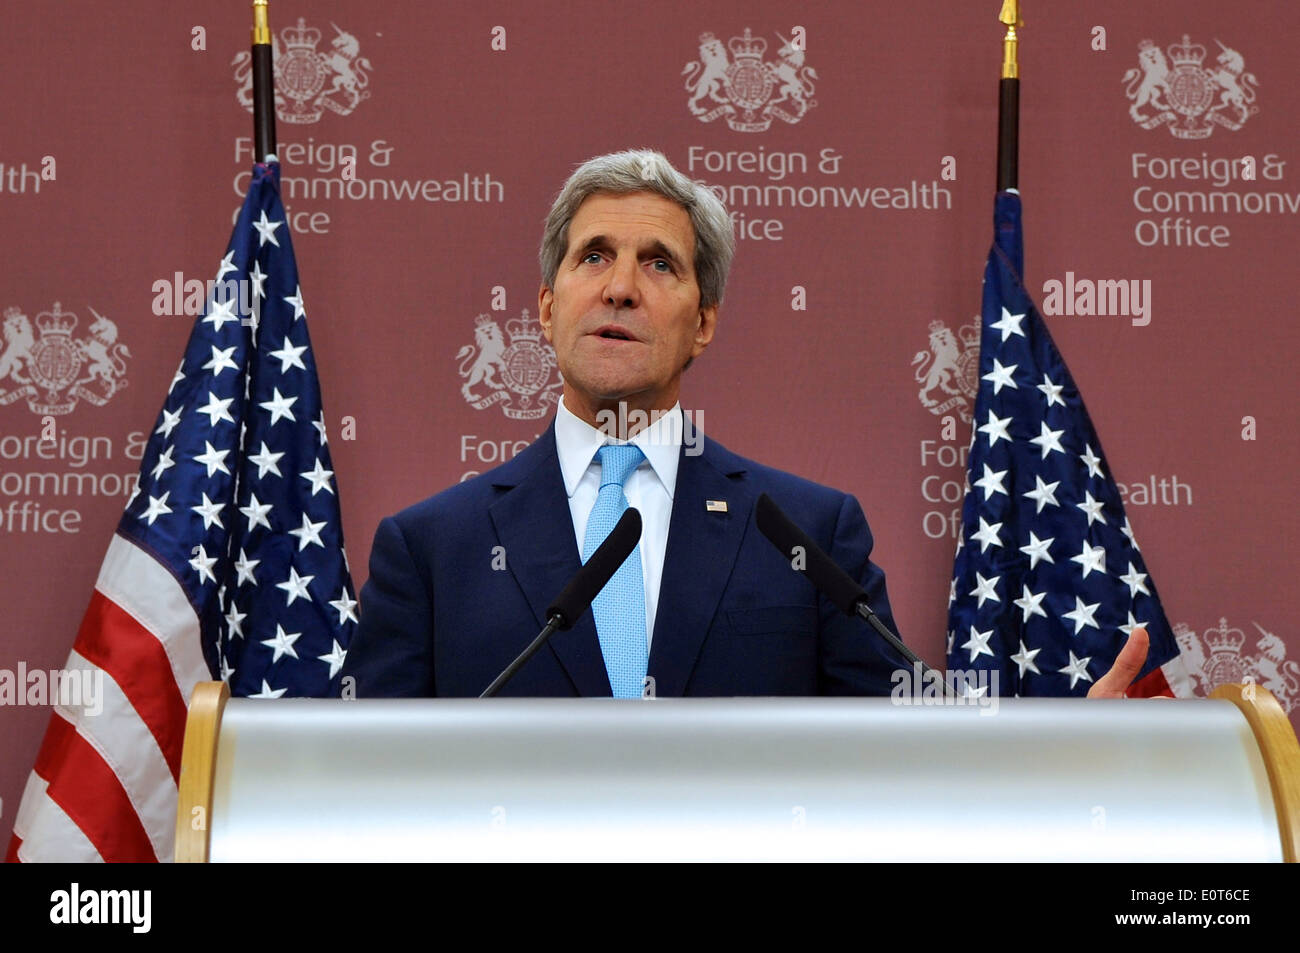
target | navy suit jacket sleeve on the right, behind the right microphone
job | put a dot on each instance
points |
(853, 659)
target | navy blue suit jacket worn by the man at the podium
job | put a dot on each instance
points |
(441, 618)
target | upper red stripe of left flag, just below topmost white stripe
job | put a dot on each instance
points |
(133, 657)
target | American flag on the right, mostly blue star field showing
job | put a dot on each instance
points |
(1048, 581)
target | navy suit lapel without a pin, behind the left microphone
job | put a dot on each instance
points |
(534, 523)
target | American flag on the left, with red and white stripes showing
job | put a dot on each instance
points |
(228, 564)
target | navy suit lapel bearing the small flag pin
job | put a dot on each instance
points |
(703, 551)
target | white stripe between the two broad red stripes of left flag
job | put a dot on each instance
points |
(129, 748)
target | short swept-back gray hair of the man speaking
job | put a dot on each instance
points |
(645, 171)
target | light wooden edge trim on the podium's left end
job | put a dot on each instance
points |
(198, 765)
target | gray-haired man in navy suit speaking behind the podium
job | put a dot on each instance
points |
(635, 259)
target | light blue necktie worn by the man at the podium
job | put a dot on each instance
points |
(621, 608)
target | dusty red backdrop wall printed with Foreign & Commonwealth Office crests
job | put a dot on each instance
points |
(125, 142)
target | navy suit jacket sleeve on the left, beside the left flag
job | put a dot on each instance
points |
(392, 651)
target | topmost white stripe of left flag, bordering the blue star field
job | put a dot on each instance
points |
(141, 584)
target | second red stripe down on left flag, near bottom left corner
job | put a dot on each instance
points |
(84, 785)
